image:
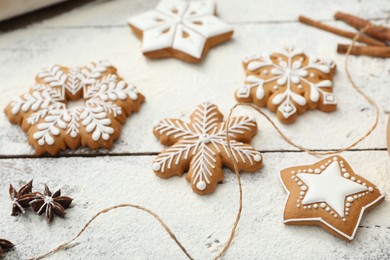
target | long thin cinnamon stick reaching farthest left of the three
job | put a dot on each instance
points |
(343, 33)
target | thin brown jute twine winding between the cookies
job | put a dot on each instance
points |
(236, 171)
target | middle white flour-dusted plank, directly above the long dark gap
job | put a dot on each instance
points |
(172, 94)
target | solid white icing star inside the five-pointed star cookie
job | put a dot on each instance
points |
(330, 187)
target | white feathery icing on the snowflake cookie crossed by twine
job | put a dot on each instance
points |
(197, 138)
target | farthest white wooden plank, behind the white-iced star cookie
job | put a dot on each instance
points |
(244, 11)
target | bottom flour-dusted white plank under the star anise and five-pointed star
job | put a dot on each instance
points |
(202, 224)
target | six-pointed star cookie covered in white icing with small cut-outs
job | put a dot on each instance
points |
(179, 28)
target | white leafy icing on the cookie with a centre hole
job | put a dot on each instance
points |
(48, 102)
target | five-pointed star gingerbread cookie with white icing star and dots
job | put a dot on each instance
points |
(328, 194)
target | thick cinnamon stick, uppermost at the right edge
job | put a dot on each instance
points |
(377, 31)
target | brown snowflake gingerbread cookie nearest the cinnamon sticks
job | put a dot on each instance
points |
(288, 82)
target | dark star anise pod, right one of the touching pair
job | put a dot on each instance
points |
(50, 204)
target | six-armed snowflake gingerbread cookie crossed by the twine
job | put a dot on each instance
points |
(200, 147)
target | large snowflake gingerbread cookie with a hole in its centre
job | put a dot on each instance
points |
(51, 126)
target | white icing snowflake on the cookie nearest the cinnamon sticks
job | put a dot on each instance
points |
(288, 73)
